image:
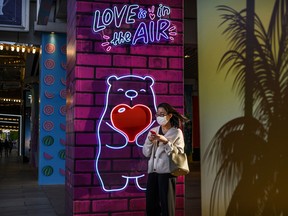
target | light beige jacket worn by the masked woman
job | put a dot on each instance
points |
(159, 155)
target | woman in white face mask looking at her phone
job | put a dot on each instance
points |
(160, 142)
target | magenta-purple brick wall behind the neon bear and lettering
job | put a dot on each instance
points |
(88, 66)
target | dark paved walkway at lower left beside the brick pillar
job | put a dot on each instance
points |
(20, 194)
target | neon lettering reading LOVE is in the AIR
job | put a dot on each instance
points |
(153, 25)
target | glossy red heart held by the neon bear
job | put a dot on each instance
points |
(131, 121)
